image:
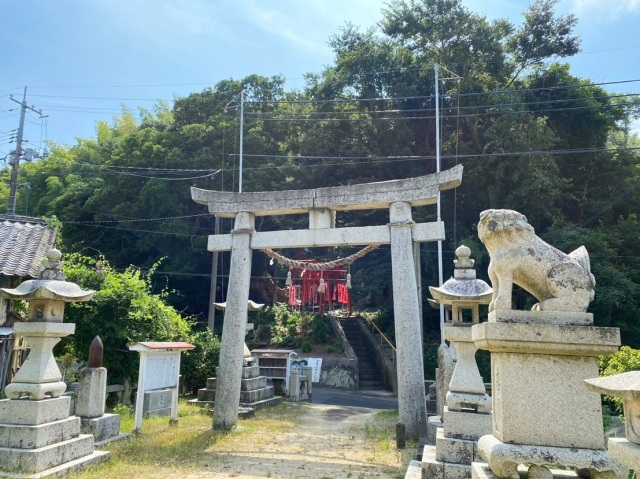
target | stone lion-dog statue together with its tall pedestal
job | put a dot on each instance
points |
(543, 414)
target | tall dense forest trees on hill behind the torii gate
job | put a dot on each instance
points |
(531, 136)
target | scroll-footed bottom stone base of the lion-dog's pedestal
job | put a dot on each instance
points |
(504, 459)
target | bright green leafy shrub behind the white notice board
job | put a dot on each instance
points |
(124, 311)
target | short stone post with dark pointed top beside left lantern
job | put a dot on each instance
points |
(92, 396)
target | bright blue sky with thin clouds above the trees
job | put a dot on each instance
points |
(82, 59)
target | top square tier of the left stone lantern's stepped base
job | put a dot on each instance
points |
(33, 413)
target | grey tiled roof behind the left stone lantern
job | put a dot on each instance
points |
(23, 243)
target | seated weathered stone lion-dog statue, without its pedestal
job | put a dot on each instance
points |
(560, 282)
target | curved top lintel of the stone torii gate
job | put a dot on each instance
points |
(418, 191)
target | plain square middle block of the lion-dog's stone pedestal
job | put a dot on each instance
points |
(542, 400)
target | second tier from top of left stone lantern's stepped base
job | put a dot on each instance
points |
(33, 437)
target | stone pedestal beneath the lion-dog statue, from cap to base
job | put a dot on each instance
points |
(543, 414)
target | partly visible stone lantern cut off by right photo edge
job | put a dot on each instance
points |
(627, 387)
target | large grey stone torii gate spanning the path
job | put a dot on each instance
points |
(399, 196)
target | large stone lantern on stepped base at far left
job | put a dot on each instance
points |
(37, 436)
